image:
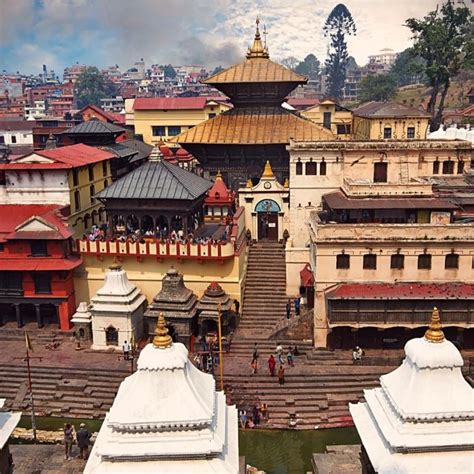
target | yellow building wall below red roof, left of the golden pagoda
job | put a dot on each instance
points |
(144, 120)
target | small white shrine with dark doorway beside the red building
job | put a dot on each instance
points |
(116, 311)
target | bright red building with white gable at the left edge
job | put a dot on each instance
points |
(36, 266)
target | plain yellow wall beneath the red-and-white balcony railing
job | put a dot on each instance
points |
(149, 273)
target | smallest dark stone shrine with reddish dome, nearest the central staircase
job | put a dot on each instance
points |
(208, 307)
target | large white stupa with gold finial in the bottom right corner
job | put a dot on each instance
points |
(421, 419)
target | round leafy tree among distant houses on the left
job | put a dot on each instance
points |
(91, 86)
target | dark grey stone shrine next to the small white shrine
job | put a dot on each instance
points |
(178, 304)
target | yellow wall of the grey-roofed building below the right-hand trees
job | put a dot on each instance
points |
(372, 128)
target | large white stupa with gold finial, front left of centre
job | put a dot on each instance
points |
(167, 418)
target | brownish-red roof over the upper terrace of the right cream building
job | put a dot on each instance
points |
(337, 200)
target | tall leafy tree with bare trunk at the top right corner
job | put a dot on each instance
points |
(444, 39)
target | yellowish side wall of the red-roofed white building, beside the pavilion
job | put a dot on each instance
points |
(76, 218)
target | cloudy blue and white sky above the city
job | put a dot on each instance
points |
(209, 32)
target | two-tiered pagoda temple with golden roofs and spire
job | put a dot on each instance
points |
(240, 140)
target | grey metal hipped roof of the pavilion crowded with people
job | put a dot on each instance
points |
(157, 180)
